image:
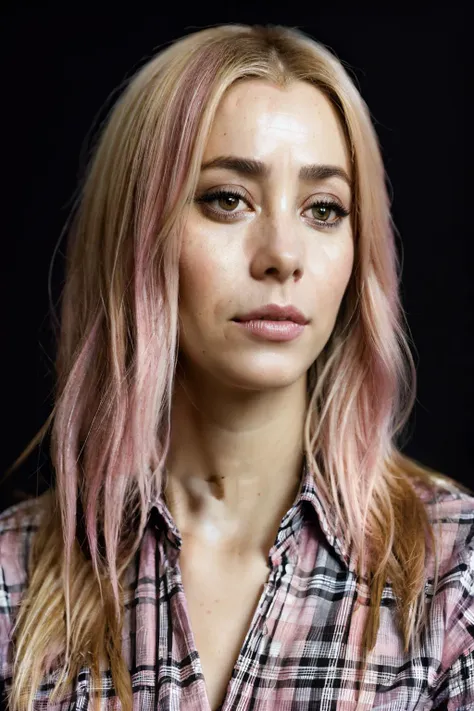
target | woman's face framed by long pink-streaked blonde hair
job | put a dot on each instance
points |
(269, 245)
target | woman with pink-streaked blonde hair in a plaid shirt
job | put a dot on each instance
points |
(233, 524)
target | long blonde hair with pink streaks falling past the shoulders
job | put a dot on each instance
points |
(117, 352)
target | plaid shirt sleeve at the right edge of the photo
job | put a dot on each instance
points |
(454, 688)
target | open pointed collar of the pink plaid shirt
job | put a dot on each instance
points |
(306, 500)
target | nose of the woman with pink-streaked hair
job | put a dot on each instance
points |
(279, 250)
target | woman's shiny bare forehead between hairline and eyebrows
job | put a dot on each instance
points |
(260, 120)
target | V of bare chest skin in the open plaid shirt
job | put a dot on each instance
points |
(222, 596)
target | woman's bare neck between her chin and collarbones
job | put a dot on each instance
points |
(234, 464)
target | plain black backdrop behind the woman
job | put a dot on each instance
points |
(59, 70)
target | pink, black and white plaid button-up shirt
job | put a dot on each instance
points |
(302, 650)
